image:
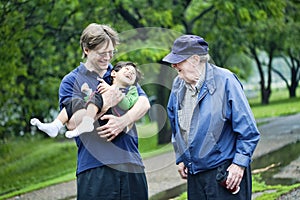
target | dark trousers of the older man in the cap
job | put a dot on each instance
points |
(203, 186)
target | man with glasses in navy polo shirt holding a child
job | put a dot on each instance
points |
(109, 165)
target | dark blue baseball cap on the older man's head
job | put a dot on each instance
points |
(184, 47)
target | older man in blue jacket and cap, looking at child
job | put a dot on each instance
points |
(213, 129)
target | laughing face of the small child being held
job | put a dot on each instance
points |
(126, 76)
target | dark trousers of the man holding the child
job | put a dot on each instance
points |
(117, 182)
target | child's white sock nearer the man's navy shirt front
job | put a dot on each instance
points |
(87, 125)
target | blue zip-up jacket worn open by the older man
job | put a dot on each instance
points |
(222, 125)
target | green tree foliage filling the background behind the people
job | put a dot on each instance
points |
(40, 44)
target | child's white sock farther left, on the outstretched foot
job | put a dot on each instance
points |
(51, 129)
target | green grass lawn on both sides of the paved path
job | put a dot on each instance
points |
(28, 163)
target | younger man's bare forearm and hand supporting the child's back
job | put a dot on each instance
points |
(116, 125)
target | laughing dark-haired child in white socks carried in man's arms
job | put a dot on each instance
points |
(125, 76)
